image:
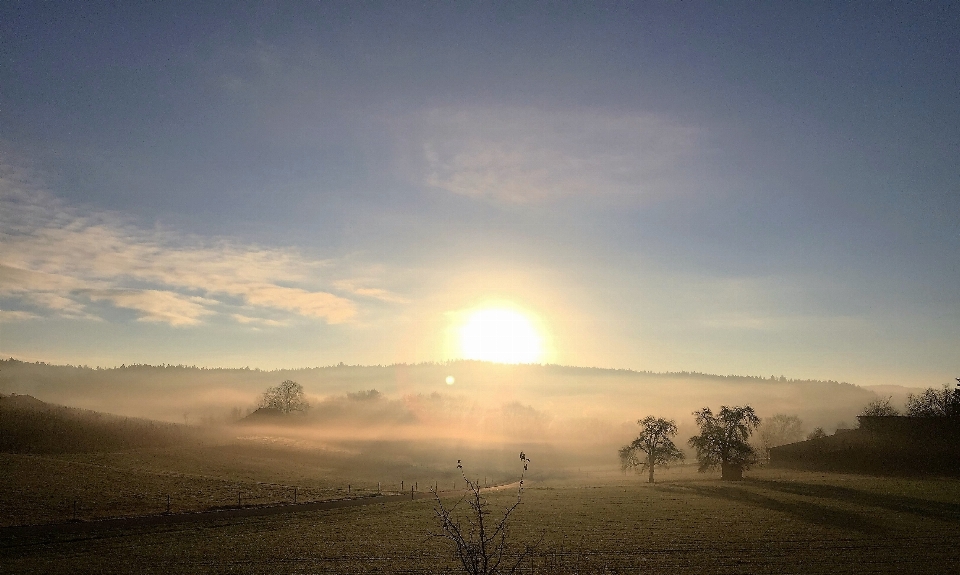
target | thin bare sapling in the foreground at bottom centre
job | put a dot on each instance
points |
(480, 541)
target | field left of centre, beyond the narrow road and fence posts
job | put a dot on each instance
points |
(38, 489)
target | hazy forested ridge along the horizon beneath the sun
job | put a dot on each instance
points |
(610, 397)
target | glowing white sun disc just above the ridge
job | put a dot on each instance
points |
(500, 335)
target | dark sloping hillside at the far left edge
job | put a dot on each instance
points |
(28, 425)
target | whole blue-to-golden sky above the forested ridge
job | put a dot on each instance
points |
(735, 188)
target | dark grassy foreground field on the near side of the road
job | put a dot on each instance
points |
(775, 522)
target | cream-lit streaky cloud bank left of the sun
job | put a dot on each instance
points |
(57, 259)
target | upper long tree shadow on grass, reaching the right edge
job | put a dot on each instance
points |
(896, 503)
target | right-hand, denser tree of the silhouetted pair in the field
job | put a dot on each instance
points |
(724, 440)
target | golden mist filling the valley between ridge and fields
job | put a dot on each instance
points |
(578, 411)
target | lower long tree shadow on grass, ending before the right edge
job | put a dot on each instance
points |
(803, 510)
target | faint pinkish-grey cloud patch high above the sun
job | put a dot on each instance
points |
(523, 155)
